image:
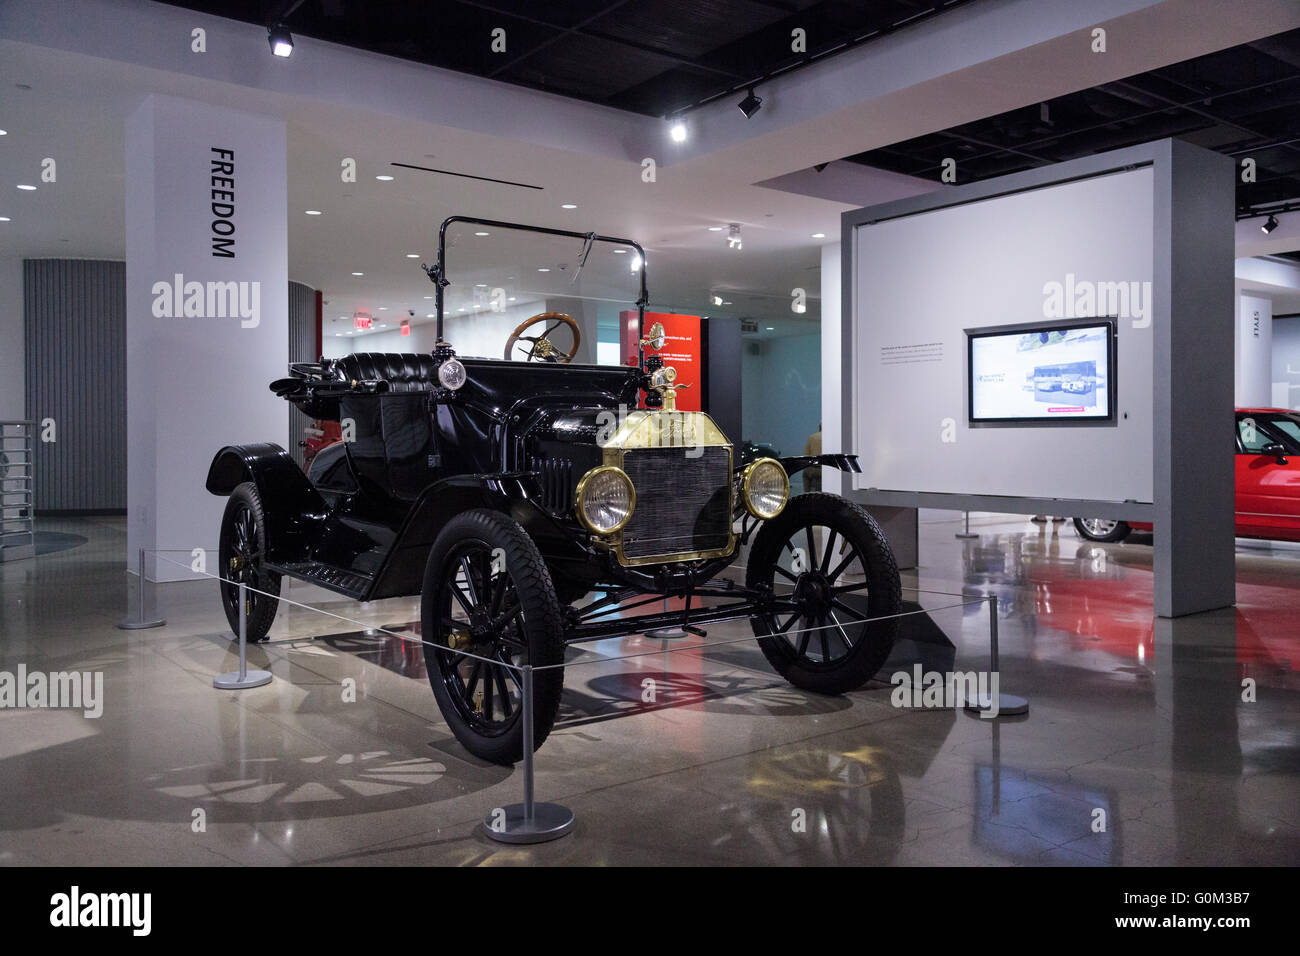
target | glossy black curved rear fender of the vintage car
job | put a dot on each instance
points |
(293, 508)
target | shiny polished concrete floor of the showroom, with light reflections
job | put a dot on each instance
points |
(1147, 742)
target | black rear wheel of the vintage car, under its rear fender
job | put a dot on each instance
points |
(242, 553)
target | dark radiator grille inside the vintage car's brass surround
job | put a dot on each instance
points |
(683, 504)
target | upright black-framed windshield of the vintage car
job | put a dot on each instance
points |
(525, 296)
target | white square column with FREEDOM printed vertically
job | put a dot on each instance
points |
(207, 312)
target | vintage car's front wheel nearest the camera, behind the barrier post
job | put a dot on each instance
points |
(506, 615)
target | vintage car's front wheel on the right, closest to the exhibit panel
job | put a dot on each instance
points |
(835, 650)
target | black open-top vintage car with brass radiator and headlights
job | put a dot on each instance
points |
(541, 504)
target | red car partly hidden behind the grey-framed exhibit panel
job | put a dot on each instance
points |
(1268, 482)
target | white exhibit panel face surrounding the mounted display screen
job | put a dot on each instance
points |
(925, 279)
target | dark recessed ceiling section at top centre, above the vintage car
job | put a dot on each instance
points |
(647, 57)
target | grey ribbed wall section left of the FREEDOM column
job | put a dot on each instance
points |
(75, 321)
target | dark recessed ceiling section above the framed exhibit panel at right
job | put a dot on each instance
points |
(1243, 102)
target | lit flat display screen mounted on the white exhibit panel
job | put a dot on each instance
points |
(1042, 375)
